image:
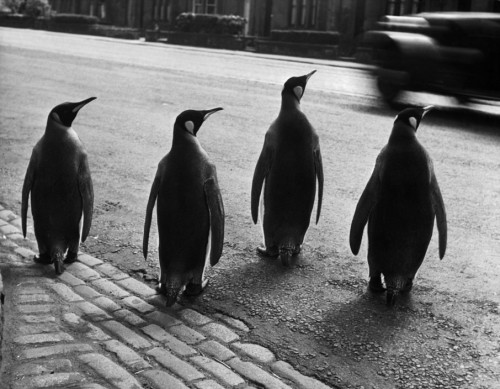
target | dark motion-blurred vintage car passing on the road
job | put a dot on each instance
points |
(449, 53)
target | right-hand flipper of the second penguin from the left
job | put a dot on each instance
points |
(216, 212)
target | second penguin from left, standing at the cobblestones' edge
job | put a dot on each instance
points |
(190, 211)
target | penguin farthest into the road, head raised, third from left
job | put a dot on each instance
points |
(284, 180)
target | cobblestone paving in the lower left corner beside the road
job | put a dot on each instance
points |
(95, 327)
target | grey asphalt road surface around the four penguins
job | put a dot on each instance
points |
(316, 315)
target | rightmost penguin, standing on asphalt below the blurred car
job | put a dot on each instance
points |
(400, 202)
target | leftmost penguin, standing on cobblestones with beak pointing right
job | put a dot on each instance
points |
(62, 196)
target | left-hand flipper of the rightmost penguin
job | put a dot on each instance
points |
(365, 204)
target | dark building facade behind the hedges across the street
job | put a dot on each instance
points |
(350, 17)
